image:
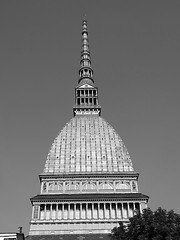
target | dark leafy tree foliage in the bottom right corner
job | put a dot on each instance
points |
(157, 225)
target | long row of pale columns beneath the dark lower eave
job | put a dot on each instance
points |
(101, 210)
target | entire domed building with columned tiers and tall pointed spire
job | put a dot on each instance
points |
(88, 184)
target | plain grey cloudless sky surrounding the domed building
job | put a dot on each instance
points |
(135, 48)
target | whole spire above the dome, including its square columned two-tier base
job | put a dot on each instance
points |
(86, 93)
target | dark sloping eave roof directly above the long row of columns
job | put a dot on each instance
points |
(89, 196)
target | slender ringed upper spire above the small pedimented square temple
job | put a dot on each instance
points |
(85, 70)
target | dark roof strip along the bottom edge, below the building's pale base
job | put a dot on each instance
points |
(69, 237)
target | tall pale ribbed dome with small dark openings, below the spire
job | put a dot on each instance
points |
(88, 144)
